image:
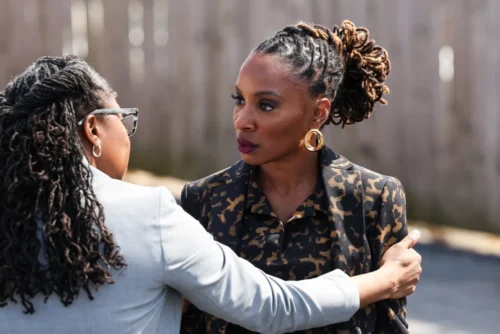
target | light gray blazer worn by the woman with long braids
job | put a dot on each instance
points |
(168, 254)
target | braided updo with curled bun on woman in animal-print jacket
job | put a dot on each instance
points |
(342, 64)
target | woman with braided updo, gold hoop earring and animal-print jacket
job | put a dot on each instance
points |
(293, 207)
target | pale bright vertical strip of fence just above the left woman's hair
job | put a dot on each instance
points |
(79, 44)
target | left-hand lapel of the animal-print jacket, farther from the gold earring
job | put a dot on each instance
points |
(227, 206)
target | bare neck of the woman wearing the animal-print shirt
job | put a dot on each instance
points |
(296, 171)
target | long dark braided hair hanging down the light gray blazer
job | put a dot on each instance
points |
(52, 233)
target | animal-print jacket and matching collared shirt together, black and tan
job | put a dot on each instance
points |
(347, 223)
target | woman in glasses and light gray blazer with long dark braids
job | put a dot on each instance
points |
(64, 148)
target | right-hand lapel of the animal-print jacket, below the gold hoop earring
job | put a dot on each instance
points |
(344, 191)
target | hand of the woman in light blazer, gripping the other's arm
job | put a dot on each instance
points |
(401, 266)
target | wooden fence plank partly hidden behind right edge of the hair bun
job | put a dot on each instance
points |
(390, 121)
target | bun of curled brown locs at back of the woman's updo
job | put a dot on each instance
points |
(367, 66)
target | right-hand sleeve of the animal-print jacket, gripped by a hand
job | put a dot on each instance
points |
(390, 227)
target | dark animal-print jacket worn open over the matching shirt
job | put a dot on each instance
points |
(367, 213)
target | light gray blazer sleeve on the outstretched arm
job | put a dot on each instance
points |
(217, 281)
